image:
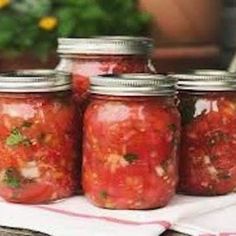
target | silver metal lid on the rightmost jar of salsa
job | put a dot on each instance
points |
(206, 81)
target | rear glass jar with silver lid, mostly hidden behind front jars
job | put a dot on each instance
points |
(85, 57)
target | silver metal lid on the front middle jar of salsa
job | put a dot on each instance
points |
(133, 85)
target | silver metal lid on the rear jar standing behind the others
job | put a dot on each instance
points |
(106, 45)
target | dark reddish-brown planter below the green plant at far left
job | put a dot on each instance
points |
(27, 61)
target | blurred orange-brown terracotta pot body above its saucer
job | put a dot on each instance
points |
(184, 21)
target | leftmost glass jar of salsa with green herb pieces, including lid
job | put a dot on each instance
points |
(37, 137)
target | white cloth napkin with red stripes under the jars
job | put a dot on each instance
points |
(75, 216)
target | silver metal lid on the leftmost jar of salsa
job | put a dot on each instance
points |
(31, 81)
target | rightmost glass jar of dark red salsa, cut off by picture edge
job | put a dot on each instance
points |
(208, 147)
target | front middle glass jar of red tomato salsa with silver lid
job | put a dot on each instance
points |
(131, 132)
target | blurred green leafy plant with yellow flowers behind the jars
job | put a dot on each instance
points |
(35, 25)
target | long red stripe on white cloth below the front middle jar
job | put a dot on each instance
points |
(164, 224)
